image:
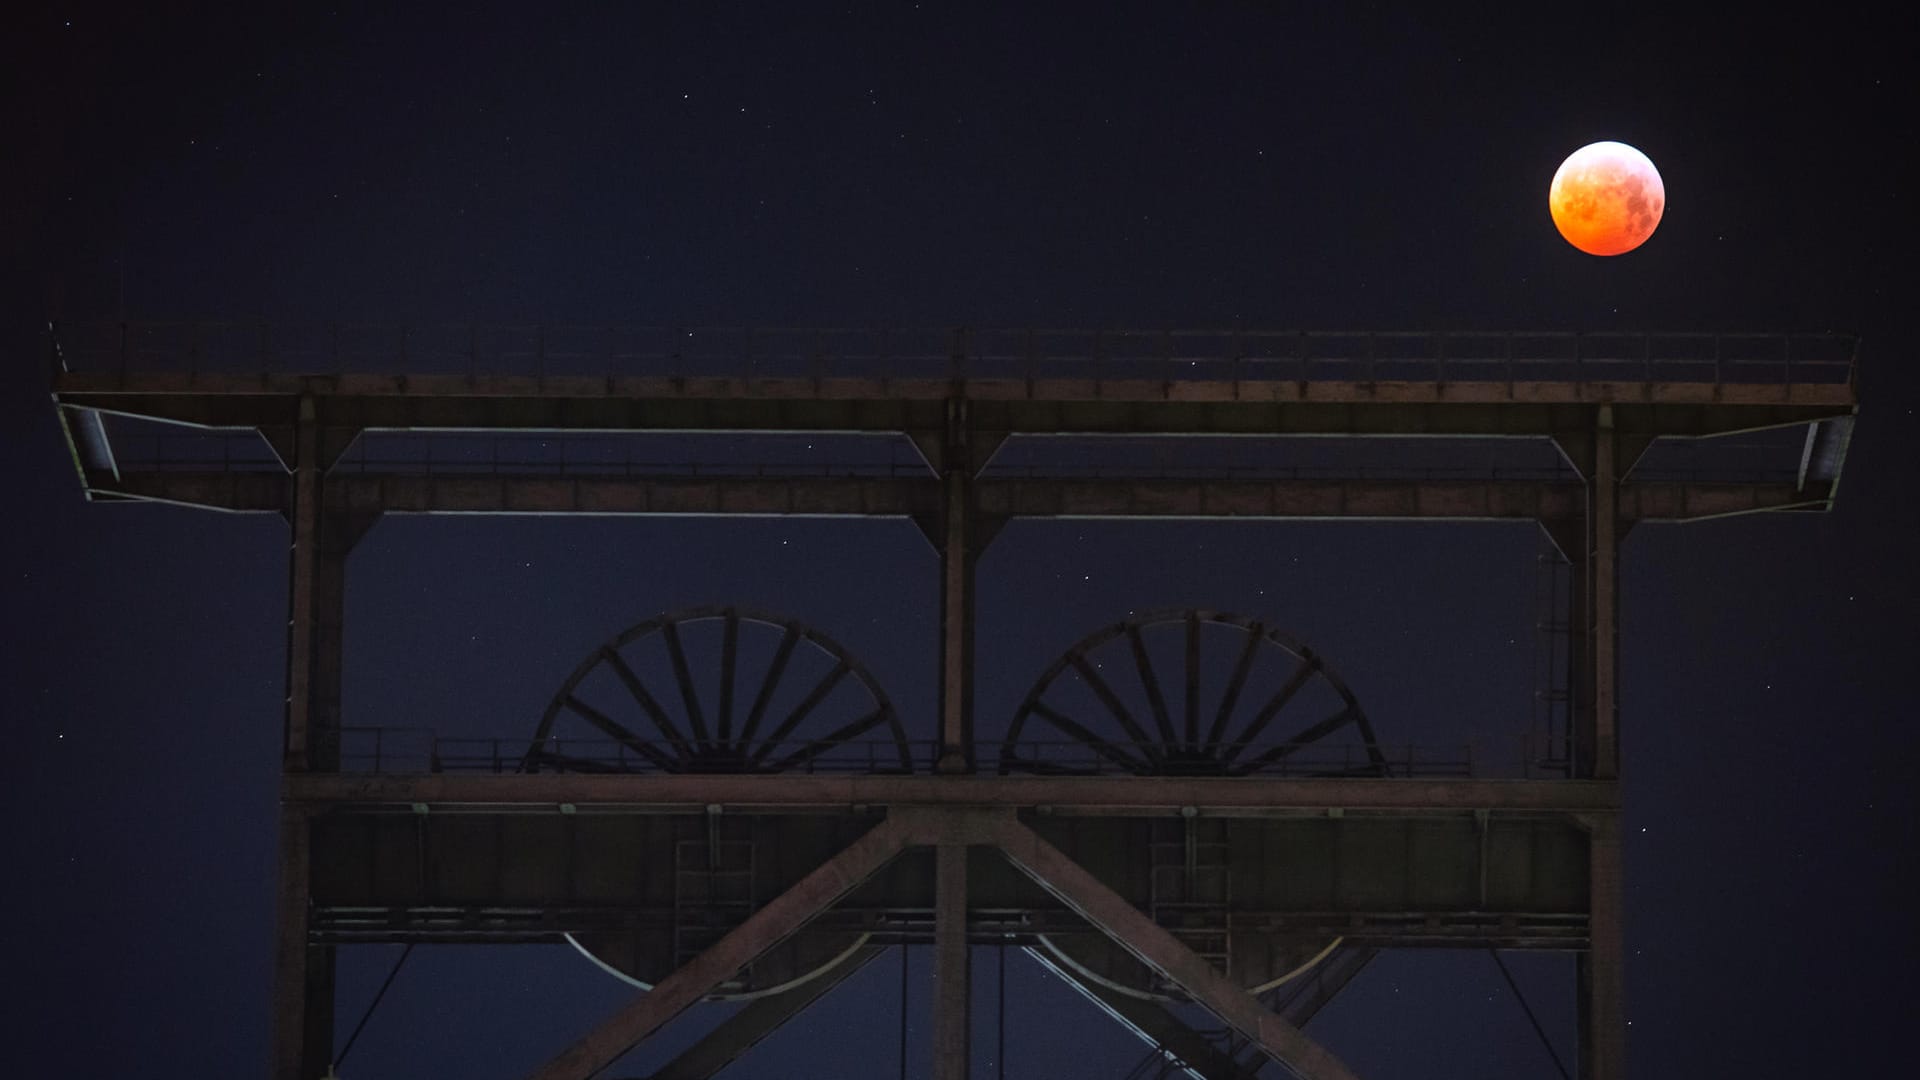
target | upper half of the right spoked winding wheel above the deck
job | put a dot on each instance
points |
(1191, 695)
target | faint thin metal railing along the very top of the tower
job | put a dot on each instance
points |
(965, 353)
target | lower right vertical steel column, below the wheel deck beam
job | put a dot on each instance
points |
(1602, 993)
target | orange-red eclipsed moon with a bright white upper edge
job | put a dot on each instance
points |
(1608, 199)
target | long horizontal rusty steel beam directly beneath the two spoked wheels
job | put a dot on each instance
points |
(544, 793)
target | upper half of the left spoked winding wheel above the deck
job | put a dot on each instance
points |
(721, 691)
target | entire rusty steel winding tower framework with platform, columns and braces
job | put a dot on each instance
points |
(1189, 806)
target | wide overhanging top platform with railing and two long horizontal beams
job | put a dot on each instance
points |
(400, 389)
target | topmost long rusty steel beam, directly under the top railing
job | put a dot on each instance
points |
(1042, 406)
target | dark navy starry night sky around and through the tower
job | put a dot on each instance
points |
(1285, 166)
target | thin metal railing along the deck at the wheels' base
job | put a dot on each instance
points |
(421, 750)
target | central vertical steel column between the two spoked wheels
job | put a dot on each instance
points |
(957, 591)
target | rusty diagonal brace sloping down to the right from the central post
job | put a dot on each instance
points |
(1166, 954)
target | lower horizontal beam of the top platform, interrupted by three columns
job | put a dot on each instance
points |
(896, 497)
